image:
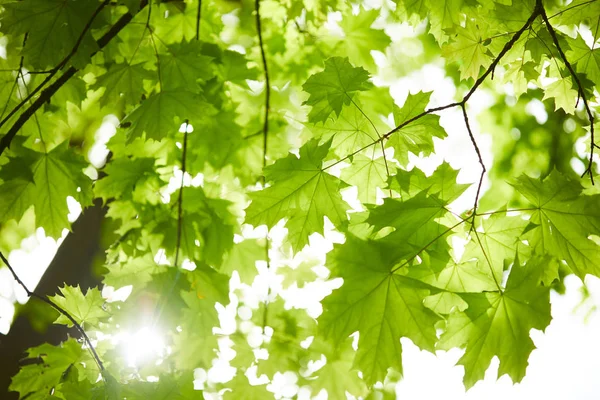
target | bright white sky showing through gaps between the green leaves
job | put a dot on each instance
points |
(566, 363)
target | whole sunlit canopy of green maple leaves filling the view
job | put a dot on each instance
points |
(192, 83)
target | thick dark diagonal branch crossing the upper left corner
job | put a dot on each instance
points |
(47, 93)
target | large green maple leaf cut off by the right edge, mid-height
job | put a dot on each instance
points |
(562, 221)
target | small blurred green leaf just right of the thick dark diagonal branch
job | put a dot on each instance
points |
(122, 82)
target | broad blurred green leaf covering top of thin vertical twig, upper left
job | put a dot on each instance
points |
(163, 113)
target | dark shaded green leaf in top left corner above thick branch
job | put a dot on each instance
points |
(53, 28)
